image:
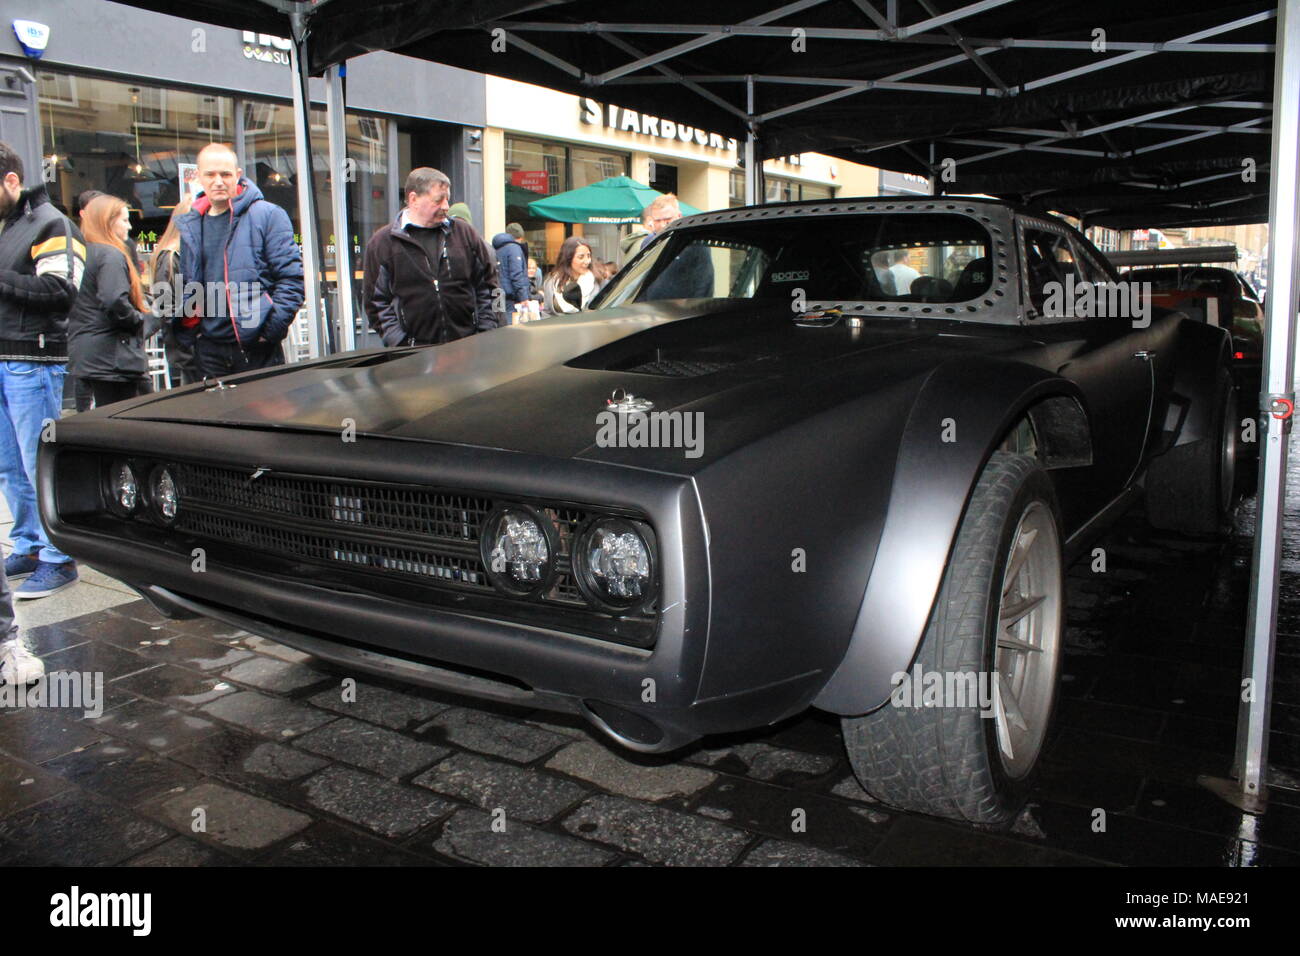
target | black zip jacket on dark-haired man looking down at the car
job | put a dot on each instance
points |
(410, 300)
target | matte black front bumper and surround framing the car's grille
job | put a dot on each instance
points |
(645, 699)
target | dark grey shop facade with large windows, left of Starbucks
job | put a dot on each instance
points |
(124, 100)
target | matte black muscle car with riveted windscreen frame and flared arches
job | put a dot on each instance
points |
(850, 481)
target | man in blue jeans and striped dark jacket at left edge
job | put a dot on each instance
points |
(42, 262)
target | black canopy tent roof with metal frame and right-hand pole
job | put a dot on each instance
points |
(1124, 114)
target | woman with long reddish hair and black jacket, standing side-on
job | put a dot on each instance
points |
(107, 325)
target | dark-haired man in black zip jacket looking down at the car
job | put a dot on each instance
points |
(430, 279)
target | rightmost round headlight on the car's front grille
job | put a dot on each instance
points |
(616, 564)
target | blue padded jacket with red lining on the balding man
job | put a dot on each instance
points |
(262, 265)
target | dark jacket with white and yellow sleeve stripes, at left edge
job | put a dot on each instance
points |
(42, 263)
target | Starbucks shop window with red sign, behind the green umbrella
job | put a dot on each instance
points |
(536, 170)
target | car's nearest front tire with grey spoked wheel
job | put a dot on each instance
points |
(999, 613)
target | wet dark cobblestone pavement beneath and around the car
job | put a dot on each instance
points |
(218, 747)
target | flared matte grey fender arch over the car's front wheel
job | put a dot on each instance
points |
(974, 403)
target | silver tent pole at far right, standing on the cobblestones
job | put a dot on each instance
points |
(1251, 763)
